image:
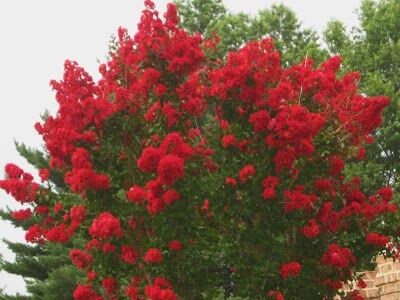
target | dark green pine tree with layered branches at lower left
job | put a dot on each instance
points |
(46, 269)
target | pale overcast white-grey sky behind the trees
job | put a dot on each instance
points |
(36, 38)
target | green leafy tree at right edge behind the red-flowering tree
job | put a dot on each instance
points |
(373, 49)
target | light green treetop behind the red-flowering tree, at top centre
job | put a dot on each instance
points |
(211, 18)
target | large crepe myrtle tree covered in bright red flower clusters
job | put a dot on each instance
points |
(188, 175)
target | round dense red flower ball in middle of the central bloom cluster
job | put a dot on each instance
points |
(170, 169)
